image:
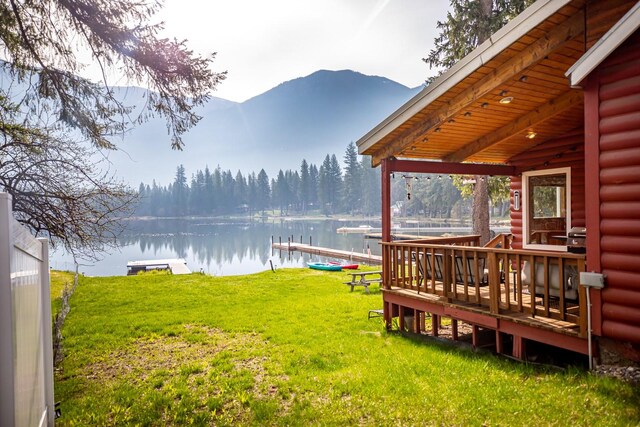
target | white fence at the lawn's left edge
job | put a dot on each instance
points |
(26, 361)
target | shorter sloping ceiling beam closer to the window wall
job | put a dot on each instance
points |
(535, 116)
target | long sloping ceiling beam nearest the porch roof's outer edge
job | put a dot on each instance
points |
(529, 56)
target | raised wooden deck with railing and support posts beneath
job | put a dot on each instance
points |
(516, 293)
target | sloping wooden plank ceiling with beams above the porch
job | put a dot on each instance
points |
(467, 122)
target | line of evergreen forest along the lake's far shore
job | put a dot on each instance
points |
(309, 189)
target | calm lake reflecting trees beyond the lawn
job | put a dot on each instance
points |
(229, 247)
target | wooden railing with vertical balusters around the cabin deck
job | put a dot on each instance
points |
(504, 281)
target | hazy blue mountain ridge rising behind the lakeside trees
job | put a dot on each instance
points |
(305, 118)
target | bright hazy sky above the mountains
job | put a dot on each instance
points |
(264, 43)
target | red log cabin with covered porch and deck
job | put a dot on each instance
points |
(552, 101)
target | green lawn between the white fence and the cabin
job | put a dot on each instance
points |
(293, 347)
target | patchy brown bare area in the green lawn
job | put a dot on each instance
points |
(204, 370)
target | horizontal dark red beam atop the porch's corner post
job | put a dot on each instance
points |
(419, 166)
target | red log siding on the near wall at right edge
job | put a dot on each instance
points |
(618, 83)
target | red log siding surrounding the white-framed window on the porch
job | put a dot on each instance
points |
(557, 153)
